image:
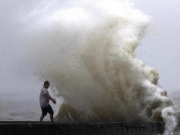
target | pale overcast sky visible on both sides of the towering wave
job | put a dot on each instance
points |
(159, 48)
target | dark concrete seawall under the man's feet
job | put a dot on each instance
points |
(96, 128)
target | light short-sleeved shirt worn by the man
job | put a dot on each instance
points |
(44, 101)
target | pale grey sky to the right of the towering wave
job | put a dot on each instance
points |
(161, 45)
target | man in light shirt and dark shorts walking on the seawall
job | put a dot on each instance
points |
(44, 98)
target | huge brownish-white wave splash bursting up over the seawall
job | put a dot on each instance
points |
(87, 51)
